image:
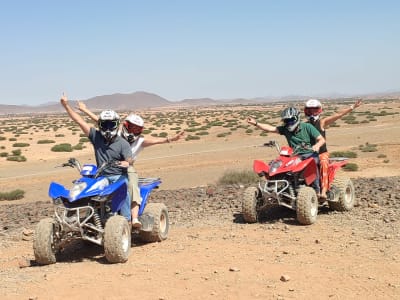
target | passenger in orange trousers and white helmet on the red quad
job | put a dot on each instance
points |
(313, 111)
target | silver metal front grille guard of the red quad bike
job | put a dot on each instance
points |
(279, 190)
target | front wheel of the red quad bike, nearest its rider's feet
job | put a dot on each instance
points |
(306, 206)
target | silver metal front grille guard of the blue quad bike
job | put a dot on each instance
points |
(74, 223)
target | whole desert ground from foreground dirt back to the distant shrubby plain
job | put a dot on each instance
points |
(210, 252)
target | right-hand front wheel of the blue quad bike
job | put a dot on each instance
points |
(117, 239)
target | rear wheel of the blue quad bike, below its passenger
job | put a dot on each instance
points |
(161, 223)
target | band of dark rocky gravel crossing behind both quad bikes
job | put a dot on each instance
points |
(378, 203)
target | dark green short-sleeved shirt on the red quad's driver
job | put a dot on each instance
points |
(305, 137)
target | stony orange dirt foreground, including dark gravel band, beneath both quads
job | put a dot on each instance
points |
(212, 254)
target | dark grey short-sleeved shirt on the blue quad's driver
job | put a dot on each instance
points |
(118, 150)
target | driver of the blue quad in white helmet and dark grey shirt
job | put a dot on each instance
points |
(108, 146)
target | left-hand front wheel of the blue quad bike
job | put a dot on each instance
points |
(43, 242)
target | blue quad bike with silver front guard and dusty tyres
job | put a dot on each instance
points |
(90, 211)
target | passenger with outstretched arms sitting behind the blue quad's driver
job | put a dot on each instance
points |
(131, 130)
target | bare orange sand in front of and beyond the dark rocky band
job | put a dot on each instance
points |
(336, 258)
